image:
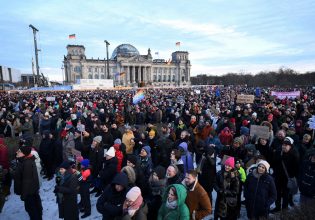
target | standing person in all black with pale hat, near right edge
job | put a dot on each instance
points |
(286, 161)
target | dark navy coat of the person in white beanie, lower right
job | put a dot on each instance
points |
(259, 192)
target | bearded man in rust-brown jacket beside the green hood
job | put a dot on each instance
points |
(197, 199)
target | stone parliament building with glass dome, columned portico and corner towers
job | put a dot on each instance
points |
(128, 68)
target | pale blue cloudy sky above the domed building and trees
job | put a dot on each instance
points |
(221, 36)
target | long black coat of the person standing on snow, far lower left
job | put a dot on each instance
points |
(26, 177)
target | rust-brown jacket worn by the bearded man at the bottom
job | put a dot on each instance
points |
(198, 200)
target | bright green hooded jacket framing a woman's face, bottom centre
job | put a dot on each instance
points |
(181, 212)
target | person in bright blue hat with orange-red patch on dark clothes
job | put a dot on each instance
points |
(85, 203)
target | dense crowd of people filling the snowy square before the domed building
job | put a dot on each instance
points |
(161, 157)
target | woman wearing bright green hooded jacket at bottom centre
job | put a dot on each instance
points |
(173, 203)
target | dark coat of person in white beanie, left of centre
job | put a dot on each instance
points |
(109, 171)
